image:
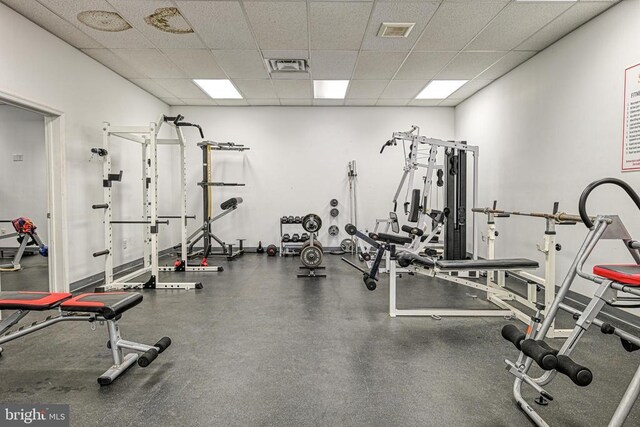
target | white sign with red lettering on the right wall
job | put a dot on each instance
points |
(631, 124)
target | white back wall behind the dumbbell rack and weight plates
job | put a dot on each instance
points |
(298, 162)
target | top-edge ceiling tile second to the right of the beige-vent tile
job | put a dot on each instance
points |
(515, 23)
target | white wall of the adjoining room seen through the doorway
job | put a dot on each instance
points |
(22, 132)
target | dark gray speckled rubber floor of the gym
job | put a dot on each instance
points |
(257, 346)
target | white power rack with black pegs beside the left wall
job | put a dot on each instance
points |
(147, 138)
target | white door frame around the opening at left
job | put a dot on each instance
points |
(54, 124)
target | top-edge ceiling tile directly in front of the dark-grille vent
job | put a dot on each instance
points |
(279, 25)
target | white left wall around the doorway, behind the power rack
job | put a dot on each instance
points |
(38, 66)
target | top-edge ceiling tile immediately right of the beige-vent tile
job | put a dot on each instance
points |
(455, 24)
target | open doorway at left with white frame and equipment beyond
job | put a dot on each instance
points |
(32, 191)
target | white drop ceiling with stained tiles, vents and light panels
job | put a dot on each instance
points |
(473, 40)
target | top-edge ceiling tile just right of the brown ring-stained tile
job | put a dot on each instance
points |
(220, 24)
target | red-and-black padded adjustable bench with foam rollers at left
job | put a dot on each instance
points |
(91, 307)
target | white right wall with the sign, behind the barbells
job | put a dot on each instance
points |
(552, 126)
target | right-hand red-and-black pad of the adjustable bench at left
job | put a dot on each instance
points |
(107, 304)
